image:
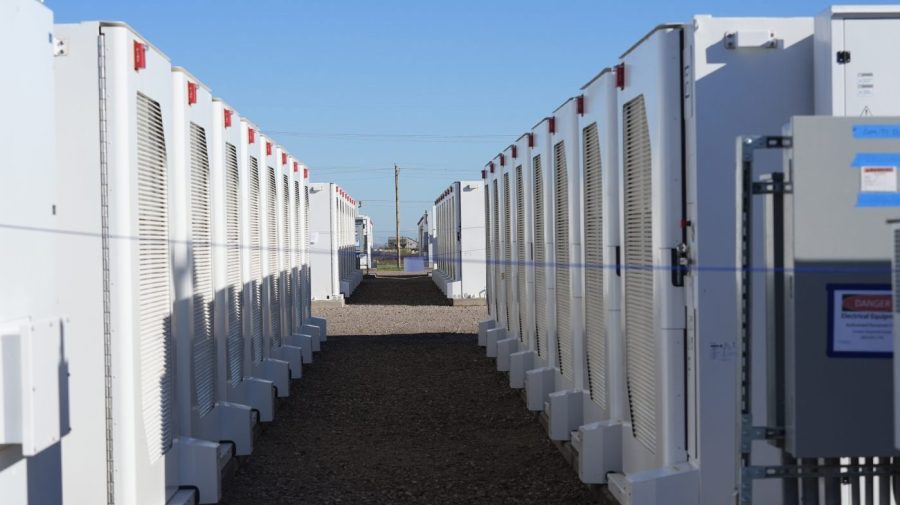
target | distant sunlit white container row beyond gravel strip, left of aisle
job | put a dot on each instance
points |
(333, 261)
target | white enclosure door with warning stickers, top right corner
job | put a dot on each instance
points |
(871, 81)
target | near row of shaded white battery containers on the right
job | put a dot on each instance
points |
(612, 246)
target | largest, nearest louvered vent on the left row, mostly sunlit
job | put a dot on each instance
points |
(154, 279)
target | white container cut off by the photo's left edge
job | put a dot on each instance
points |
(33, 386)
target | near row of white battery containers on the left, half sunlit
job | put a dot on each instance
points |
(171, 220)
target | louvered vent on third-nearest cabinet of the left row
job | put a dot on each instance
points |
(234, 342)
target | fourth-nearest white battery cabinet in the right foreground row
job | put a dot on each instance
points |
(540, 381)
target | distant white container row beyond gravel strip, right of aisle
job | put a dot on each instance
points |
(459, 246)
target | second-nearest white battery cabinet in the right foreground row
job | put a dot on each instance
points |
(598, 440)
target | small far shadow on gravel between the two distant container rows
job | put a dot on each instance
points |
(398, 289)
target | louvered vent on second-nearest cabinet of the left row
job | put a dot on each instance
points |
(203, 361)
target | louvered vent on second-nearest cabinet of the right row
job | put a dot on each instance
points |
(595, 316)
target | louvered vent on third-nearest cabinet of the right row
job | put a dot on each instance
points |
(562, 270)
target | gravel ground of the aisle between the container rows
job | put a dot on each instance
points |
(401, 406)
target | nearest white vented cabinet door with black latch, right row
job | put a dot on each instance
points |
(653, 303)
